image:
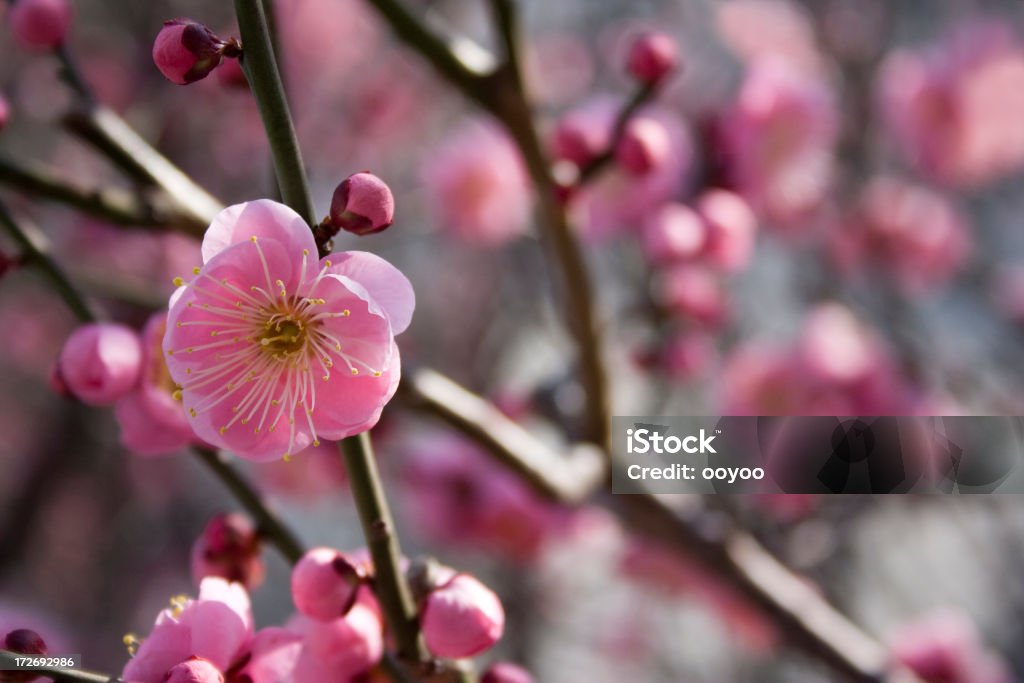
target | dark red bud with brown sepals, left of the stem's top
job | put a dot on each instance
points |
(187, 52)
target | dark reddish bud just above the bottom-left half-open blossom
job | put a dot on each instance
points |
(230, 548)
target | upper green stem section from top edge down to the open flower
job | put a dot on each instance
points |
(262, 69)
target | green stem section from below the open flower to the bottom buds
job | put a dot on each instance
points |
(378, 528)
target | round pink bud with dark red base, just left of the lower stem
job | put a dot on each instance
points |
(325, 584)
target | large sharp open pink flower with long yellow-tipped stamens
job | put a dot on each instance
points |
(275, 351)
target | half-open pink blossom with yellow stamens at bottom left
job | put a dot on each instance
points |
(217, 626)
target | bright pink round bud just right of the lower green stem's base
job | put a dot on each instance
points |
(462, 618)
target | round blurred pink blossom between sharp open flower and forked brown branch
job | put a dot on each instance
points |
(478, 186)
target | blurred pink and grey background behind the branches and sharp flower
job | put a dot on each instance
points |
(825, 218)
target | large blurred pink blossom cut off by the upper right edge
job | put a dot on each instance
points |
(954, 109)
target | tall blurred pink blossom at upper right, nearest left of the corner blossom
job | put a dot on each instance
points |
(779, 141)
